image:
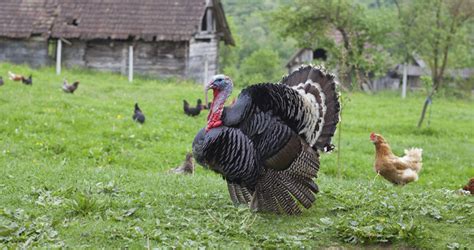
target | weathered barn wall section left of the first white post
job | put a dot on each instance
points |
(33, 51)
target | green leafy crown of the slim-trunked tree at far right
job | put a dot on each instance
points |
(439, 31)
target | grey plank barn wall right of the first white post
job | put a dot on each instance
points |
(157, 59)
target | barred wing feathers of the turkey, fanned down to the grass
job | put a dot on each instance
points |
(286, 191)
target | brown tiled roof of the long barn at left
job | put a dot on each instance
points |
(149, 20)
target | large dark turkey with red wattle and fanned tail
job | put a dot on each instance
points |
(266, 145)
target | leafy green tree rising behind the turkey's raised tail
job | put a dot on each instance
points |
(320, 23)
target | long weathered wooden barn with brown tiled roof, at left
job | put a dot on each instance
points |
(160, 38)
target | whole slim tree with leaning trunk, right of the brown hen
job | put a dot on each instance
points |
(441, 27)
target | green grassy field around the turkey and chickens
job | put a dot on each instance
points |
(76, 171)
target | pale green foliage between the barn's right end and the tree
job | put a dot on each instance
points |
(250, 27)
